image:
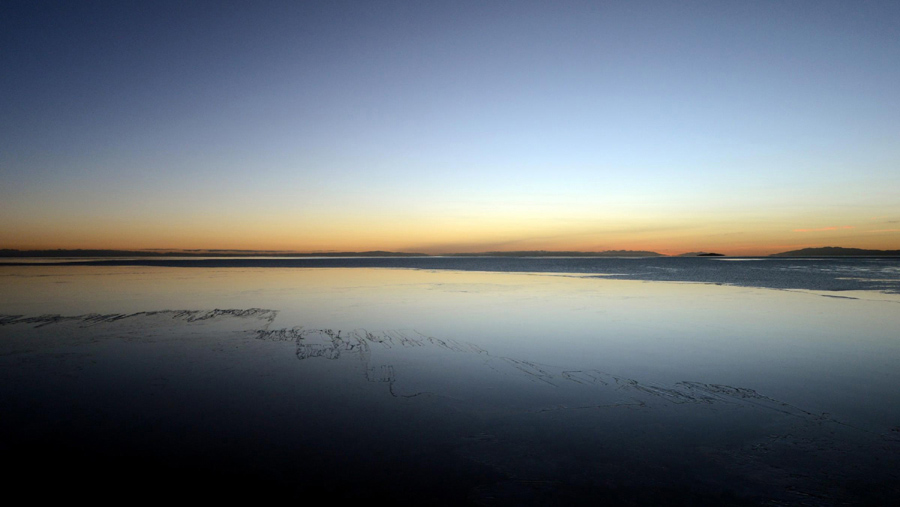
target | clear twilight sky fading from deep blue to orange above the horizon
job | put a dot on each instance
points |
(745, 128)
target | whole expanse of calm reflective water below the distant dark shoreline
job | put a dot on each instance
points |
(553, 386)
